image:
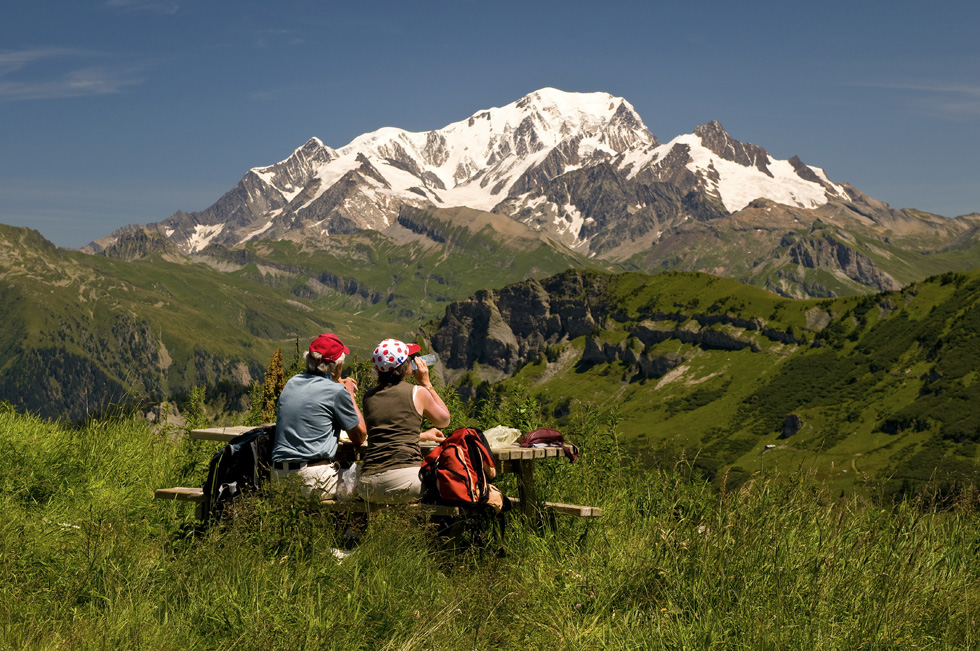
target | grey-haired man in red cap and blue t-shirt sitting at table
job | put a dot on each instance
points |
(313, 409)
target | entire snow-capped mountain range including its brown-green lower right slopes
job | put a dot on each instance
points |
(584, 171)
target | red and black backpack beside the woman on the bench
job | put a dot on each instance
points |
(459, 470)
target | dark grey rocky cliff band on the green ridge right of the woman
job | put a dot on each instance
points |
(497, 332)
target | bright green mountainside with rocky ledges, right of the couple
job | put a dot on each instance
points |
(878, 391)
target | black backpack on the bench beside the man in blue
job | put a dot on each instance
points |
(239, 468)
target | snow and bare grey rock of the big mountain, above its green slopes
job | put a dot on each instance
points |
(581, 167)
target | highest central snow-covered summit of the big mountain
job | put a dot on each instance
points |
(477, 161)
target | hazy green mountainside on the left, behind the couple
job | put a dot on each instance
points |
(142, 322)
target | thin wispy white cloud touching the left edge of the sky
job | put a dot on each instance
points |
(75, 79)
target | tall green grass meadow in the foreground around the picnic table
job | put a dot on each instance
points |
(89, 561)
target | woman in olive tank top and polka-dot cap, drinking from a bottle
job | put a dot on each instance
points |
(393, 413)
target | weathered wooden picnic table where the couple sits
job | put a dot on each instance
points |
(508, 458)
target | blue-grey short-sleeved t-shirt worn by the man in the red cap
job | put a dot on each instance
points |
(312, 411)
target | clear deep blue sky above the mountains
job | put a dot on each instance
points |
(124, 111)
